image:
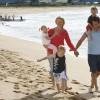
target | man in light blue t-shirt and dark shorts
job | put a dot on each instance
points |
(93, 52)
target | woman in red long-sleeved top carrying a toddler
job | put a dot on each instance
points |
(61, 35)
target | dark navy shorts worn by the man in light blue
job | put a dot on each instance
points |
(94, 63)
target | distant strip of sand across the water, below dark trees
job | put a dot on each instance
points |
(31, 10)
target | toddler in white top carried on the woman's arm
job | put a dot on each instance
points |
(46, 39)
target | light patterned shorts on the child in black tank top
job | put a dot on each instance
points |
(59, 76)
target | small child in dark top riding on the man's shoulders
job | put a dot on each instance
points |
(94, 11)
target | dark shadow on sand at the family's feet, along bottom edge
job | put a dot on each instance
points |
(39, 95)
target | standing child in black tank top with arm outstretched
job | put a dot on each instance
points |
(59, 67)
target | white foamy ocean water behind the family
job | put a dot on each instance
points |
(75, 23)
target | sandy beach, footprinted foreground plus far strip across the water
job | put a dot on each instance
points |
(23, 78)
